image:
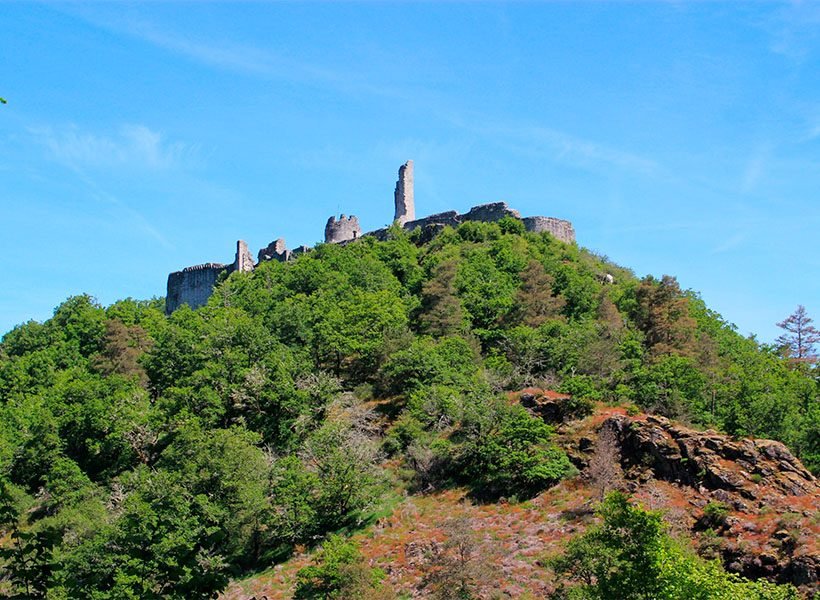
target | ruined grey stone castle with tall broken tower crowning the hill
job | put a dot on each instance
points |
(194, 285)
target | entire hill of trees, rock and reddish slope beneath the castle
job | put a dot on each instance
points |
(380, 388)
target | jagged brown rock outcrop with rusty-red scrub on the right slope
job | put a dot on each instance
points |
(771, 499)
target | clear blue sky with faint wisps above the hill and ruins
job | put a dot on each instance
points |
(680, 138)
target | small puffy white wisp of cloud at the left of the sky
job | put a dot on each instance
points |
(131, 145)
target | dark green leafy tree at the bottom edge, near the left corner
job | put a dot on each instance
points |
(164, 540)
